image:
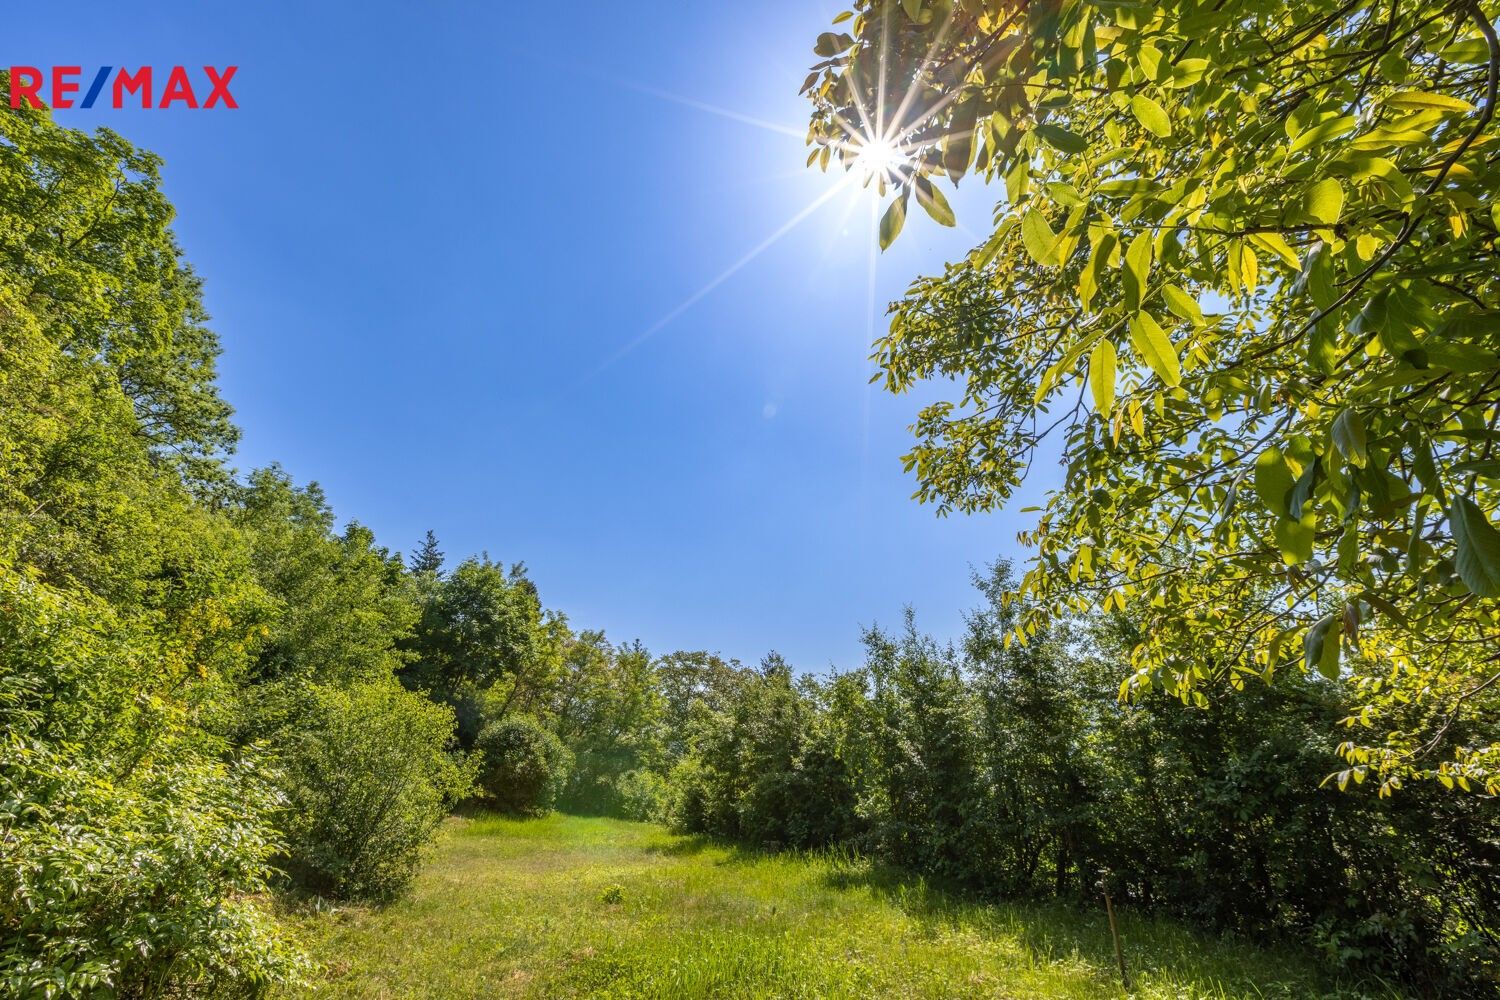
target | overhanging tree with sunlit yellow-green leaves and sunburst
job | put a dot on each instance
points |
(1244, 280)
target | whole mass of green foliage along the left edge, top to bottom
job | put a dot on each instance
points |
(137, 839)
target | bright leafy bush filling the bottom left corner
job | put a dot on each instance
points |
(134, 848)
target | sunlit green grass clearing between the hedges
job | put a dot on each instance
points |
(596, 908)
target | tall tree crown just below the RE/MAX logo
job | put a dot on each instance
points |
(86, 242)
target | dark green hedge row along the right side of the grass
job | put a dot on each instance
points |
(1015, 771)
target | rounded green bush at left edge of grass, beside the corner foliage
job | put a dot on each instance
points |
(370, 776)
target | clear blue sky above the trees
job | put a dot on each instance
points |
(431, 236)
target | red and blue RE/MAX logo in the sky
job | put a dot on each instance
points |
(178, 88)
